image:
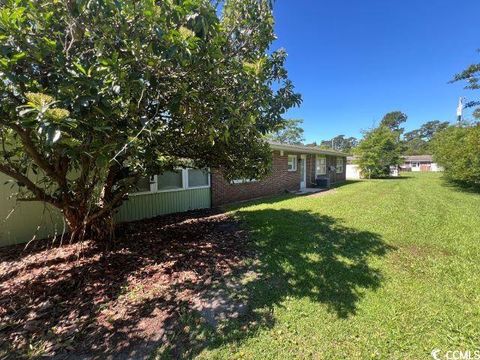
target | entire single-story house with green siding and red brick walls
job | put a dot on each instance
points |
(295, 167)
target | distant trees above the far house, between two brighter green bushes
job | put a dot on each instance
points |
(417, 142)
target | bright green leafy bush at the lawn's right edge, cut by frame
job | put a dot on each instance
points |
(457, 149)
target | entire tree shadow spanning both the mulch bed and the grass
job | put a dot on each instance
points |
(181, 284)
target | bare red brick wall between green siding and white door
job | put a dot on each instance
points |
(277, 182)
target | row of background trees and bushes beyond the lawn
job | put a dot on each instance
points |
(456, 147)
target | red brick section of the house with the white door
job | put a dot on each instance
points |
(294, 167)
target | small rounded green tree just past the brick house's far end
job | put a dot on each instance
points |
(379, 149)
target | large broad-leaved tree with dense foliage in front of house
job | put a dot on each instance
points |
(96, 94)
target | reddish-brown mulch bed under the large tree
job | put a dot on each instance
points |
(80, 301)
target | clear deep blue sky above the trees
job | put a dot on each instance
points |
(353, 61)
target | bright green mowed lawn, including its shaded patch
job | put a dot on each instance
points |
(375, 269)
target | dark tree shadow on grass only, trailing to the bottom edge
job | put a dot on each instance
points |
(299, 254)
